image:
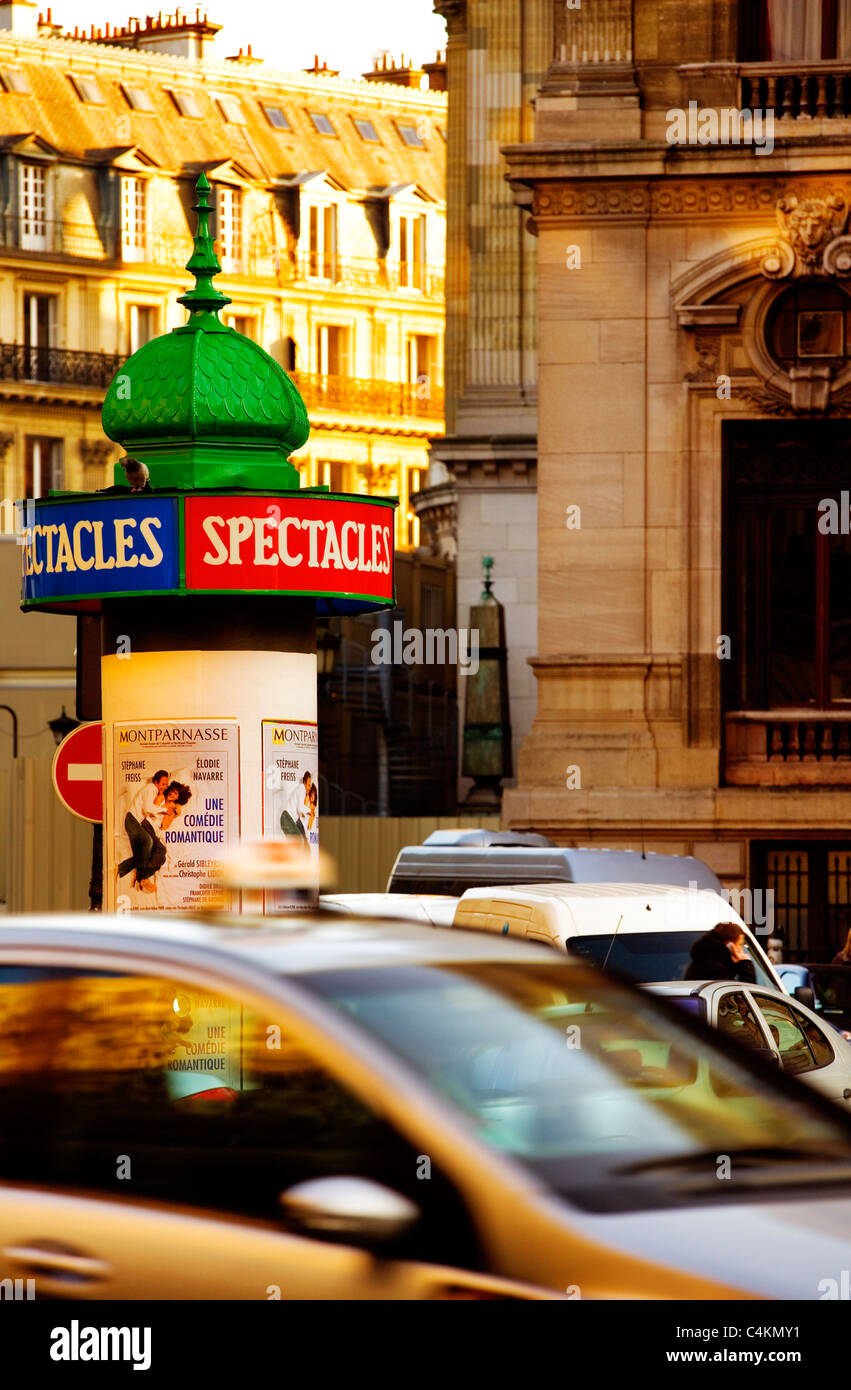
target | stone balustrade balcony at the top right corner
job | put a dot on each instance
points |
(800, 91)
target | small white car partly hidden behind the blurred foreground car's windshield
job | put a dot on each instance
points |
(771, 1024)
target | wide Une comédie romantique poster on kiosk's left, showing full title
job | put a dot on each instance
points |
(177, 797)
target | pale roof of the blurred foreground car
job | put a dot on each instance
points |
(301, 945)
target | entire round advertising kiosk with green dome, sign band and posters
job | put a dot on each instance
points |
(208, 573)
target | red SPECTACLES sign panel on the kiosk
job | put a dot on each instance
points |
(332, 547)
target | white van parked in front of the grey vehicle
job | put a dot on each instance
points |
(645, 931)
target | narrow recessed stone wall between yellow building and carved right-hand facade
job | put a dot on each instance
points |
(482, 484)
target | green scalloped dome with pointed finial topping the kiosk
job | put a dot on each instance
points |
(204, 405)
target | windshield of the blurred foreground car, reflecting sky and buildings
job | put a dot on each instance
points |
(582, 1079)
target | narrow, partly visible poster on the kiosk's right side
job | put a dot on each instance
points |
(291, 801)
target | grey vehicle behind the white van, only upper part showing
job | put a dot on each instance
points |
(453, 861)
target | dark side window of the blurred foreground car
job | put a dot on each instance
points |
(151, 1089)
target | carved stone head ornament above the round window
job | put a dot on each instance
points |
(811, 238)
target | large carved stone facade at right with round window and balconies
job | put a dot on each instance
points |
(693, 654)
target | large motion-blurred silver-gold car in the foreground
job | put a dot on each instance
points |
(329, 1107)
